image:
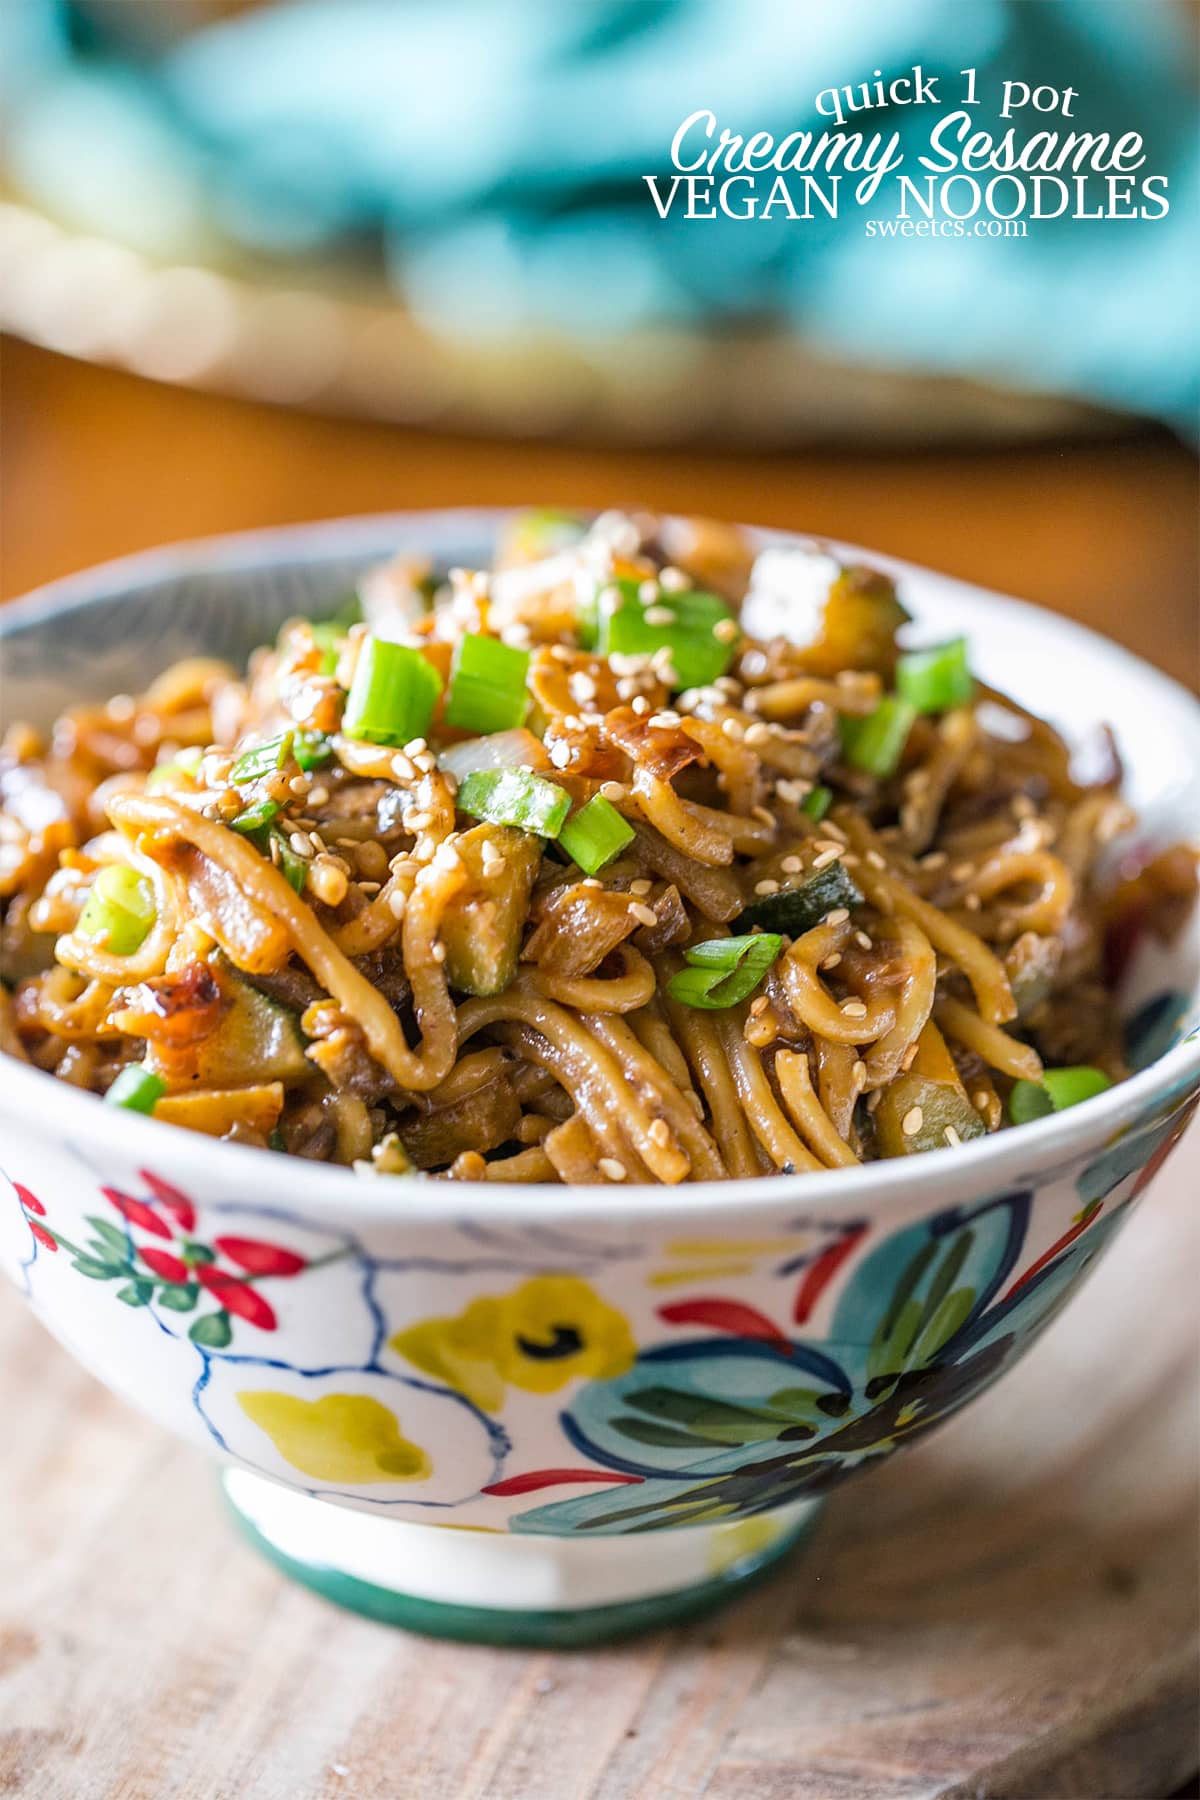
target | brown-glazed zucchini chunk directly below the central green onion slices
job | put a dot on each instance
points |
(483, 924)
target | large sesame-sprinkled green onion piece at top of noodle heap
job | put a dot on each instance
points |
(697, 627)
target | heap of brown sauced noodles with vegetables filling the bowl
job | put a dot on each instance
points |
(307, 930)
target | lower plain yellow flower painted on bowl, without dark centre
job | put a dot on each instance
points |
(348, 1439)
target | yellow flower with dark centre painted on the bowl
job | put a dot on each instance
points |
(539, 1338)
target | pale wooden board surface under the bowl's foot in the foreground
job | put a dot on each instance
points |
(1003, 1614)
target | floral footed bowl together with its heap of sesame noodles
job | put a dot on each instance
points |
(584, 1032)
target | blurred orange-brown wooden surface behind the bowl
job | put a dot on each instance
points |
(100, 463)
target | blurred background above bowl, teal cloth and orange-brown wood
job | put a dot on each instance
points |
(276, 260)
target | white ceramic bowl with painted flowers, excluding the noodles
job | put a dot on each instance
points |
(622, 1405)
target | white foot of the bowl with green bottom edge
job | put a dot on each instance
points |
(506, 1588)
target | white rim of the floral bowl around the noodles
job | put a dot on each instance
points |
(1014, 1158)
